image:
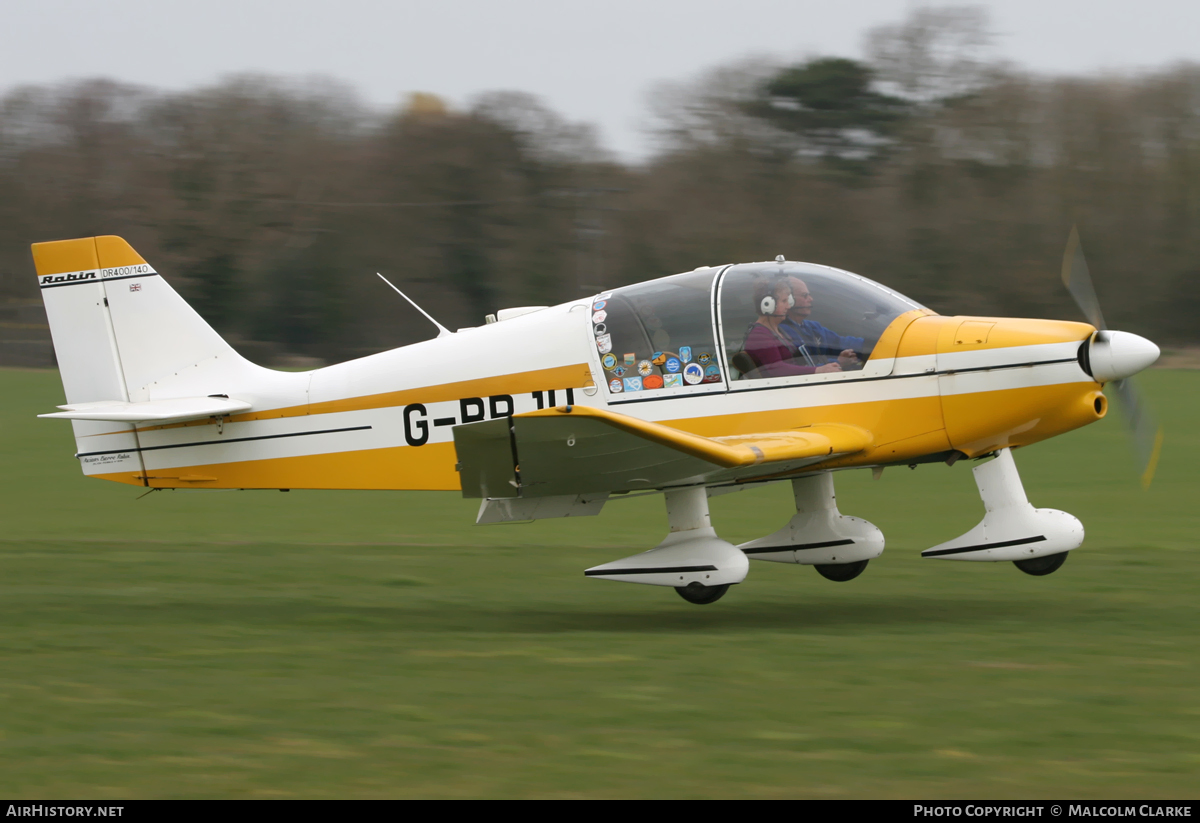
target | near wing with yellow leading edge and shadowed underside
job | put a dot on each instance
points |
(575, 449)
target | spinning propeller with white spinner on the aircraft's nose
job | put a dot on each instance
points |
(1115, 357)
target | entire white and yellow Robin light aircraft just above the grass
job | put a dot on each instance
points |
(691, 386)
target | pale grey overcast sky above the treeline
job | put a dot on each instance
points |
(591, 62)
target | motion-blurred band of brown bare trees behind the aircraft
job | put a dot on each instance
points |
(952, 178)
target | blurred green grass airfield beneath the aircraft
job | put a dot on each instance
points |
(379, 645)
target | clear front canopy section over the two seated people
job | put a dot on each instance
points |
(796, 319)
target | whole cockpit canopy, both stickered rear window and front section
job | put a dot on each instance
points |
(701, 331)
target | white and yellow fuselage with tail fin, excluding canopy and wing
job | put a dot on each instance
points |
(933, 387)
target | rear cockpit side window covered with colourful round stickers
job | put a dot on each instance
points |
(658, 337)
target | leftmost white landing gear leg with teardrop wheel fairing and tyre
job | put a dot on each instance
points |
(692, 560)
